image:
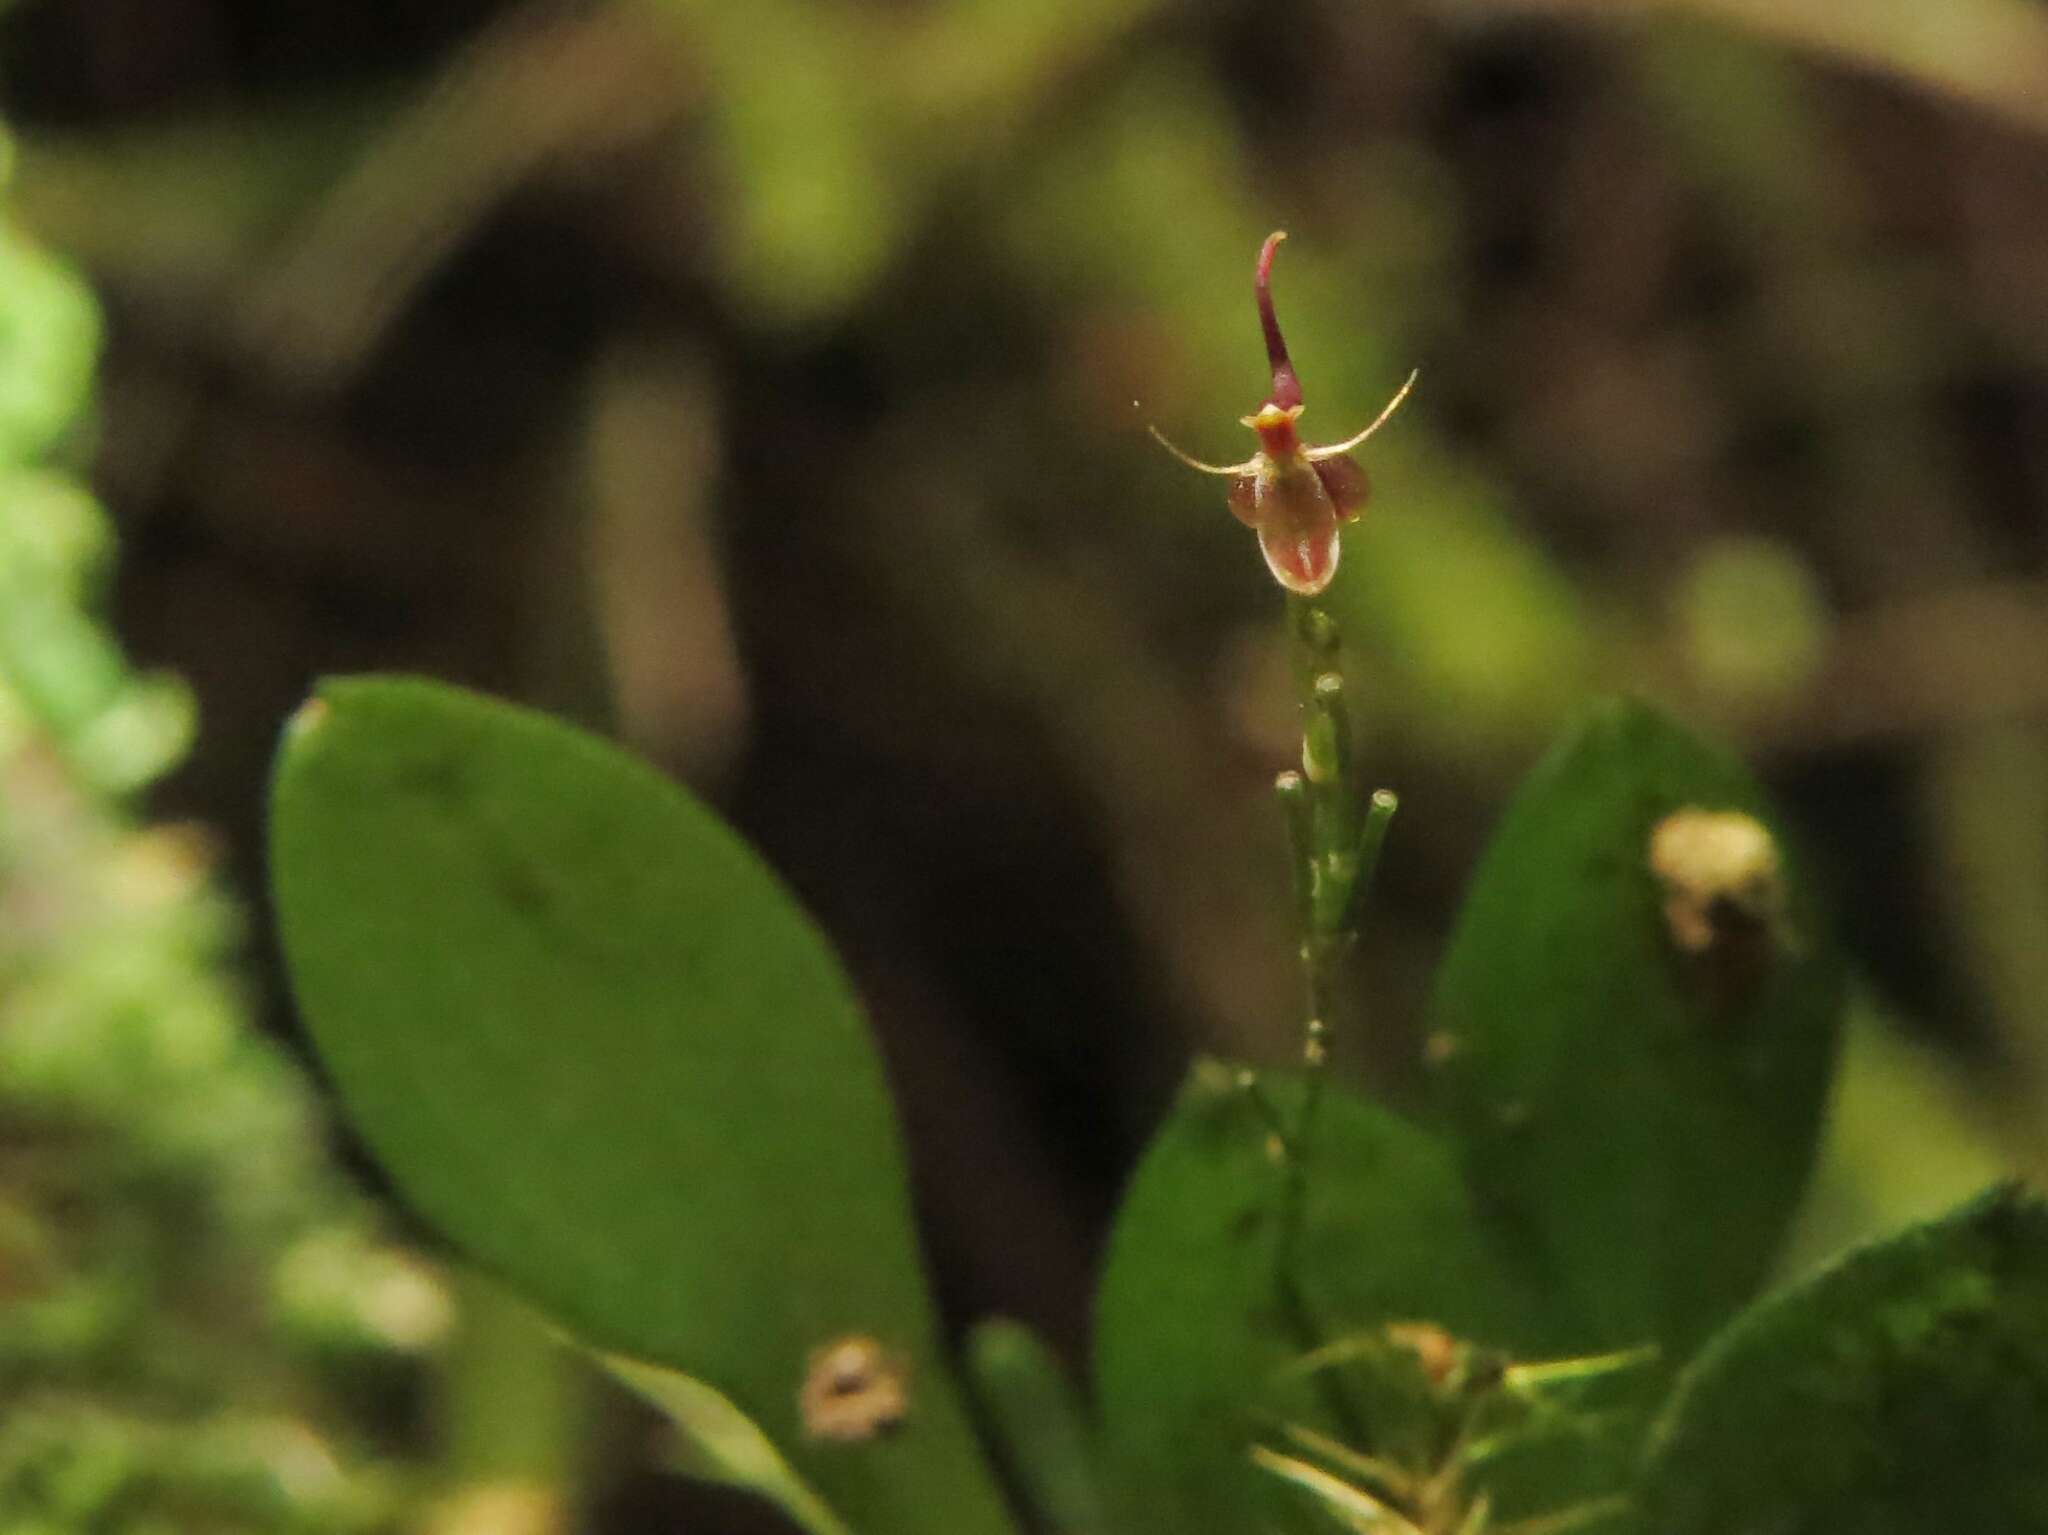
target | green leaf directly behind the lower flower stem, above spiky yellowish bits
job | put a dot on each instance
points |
(1193, 1340)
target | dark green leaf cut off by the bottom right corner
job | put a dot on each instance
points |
(1902, 1391)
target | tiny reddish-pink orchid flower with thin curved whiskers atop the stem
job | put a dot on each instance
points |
(1295, 496)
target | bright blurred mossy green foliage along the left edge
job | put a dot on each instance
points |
(187, 1292)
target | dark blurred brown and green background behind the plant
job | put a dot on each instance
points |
(757, 382)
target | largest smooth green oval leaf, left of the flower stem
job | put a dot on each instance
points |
(597, 1045)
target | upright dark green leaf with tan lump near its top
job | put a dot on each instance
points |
(1635, 1028)
